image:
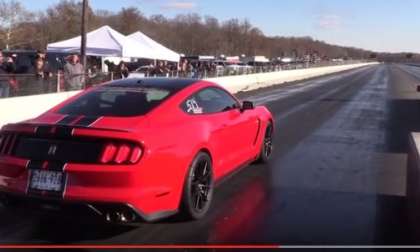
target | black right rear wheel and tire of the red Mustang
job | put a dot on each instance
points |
(198, 188)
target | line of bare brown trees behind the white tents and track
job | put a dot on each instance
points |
(190, 34)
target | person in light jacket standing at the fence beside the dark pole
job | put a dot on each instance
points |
(73, 74)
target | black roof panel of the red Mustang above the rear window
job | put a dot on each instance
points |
(172, 84)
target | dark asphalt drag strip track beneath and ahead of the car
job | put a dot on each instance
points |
(337, 177)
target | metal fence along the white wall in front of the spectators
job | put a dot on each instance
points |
(13, 85)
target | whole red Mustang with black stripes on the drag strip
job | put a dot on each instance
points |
(135, 149)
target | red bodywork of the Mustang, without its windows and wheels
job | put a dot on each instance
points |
(163, 142)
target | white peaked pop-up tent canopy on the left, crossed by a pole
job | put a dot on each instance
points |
(105, 41)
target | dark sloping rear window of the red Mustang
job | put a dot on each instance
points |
(117, 102)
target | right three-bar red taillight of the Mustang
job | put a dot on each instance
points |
(121, 154)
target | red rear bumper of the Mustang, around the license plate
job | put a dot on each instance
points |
(106, 191)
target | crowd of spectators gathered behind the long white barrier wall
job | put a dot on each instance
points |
(46, 73)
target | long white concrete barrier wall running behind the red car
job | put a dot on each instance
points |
(17, 109)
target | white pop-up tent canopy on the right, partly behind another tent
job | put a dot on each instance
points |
(160, 52)
